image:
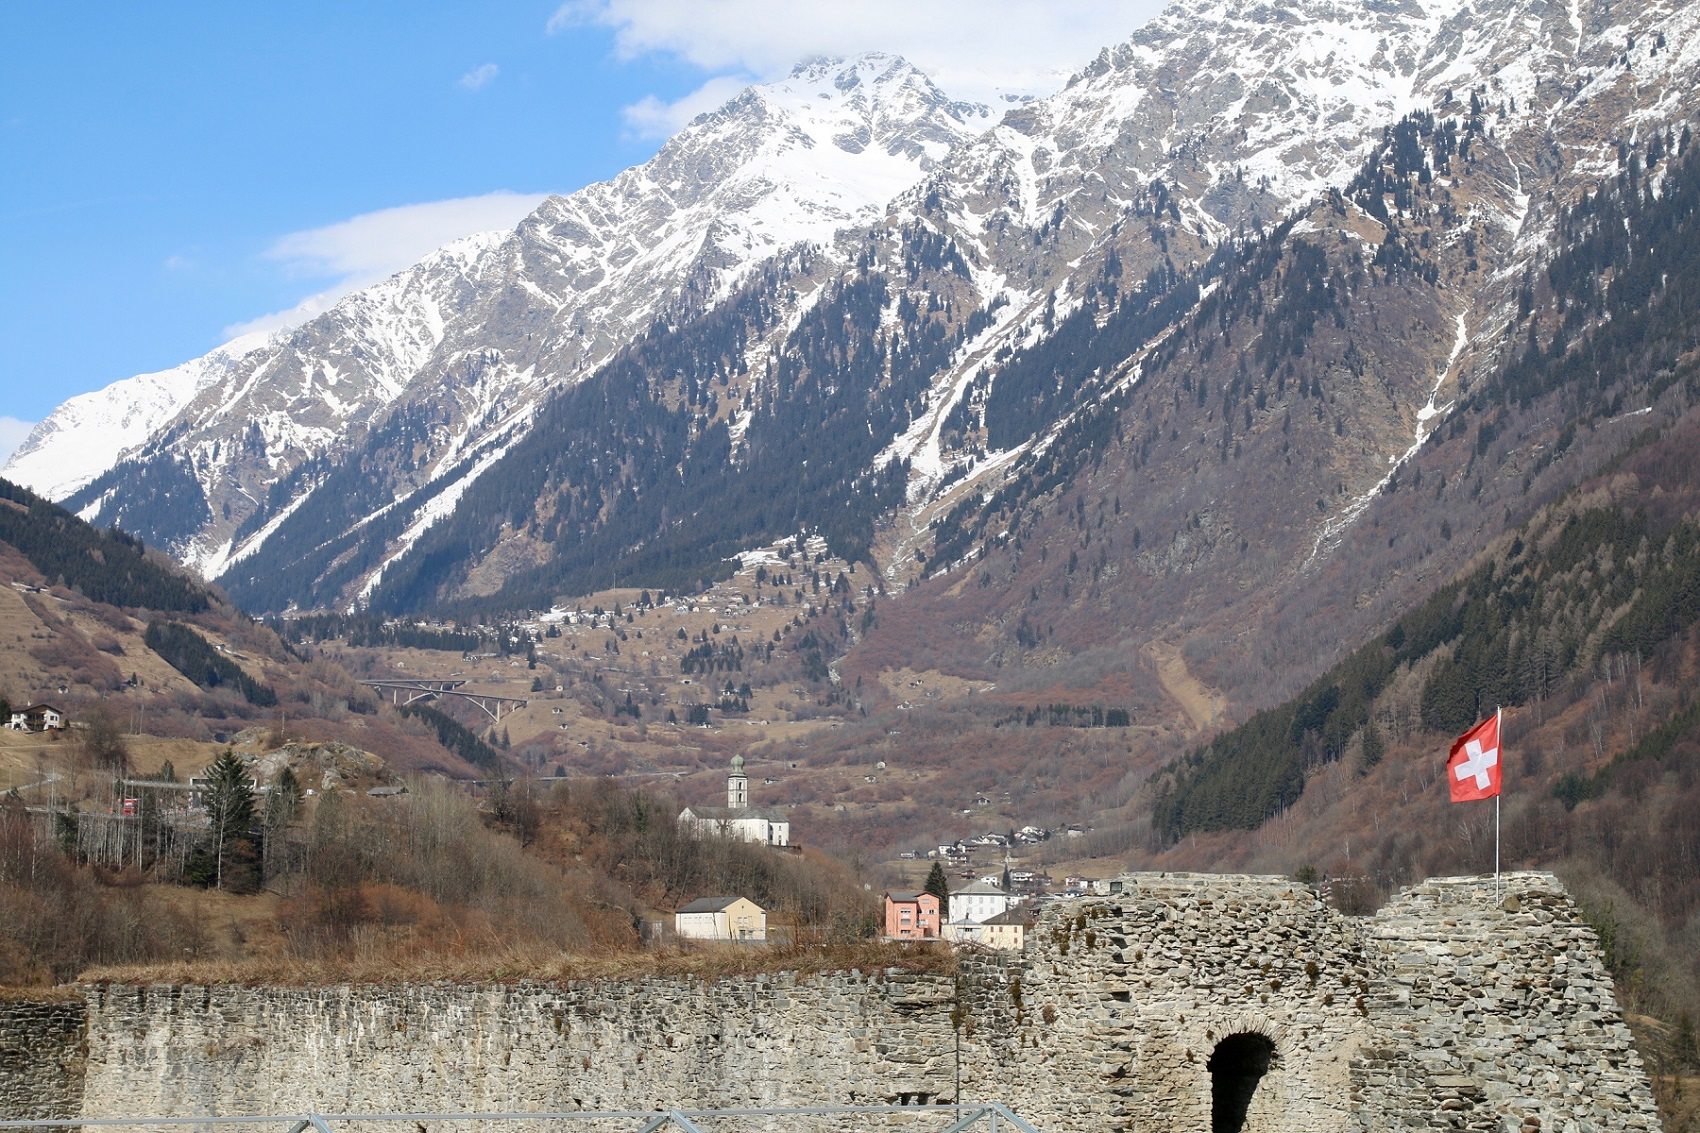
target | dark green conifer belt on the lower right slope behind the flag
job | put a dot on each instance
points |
(1567, 598)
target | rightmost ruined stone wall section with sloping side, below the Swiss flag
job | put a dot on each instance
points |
(1497, 1015)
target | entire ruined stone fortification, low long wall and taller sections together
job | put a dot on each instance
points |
(1444, 1011)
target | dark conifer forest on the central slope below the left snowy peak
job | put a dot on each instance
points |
(676, 455)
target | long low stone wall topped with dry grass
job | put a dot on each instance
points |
(761, 1040)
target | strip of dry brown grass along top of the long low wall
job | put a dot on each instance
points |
(518, 965)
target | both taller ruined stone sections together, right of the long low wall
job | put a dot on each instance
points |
(1448, 1010)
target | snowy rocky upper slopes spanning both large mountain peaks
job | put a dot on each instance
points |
(1216, 122)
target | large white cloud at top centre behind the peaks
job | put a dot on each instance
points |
(980, 50)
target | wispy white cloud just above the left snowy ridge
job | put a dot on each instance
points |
(365, 249)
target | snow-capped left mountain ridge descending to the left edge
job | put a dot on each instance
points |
(487, 326)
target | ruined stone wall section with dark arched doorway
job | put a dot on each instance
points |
(1119, 1003)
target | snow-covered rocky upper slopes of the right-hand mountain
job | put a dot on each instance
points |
(1225, 117)
